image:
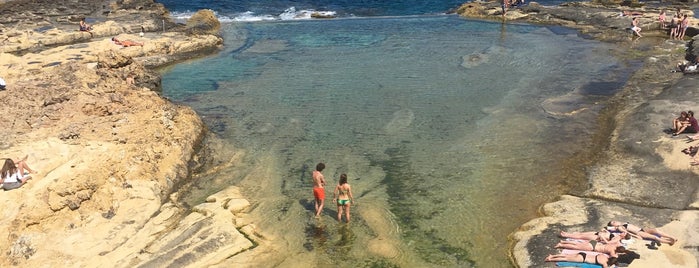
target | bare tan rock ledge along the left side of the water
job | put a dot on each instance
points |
(111, 155)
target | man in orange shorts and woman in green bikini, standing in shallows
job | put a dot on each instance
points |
(342, 195)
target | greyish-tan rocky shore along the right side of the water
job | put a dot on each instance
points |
(641, 175)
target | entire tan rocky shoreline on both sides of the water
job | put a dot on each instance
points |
(112, 155)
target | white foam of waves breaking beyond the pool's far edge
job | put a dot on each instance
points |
(249, 16)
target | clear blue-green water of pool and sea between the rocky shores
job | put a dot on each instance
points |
(453, 132)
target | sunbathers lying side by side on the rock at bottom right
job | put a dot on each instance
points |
(604, 247)
